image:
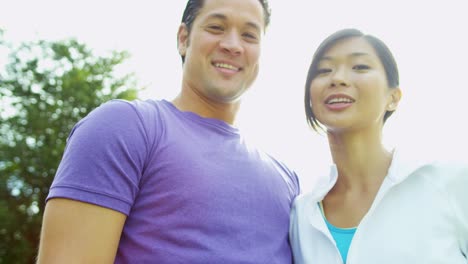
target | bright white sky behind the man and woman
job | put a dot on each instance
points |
(428, 39)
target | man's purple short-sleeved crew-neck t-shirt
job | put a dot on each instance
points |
(193, 190)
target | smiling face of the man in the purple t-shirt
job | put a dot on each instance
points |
(222, 49)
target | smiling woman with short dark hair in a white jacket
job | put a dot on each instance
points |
(376, 206)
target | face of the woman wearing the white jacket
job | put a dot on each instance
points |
(351, 90)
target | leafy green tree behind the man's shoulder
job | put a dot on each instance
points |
(45, 88)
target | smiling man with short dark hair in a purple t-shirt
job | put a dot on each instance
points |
(174, 182)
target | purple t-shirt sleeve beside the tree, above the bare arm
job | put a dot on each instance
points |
(104, 158)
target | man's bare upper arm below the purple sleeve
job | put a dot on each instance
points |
(77, 232)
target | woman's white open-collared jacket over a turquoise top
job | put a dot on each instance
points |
(420, 215)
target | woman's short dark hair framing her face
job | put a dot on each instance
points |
(383, 52)
